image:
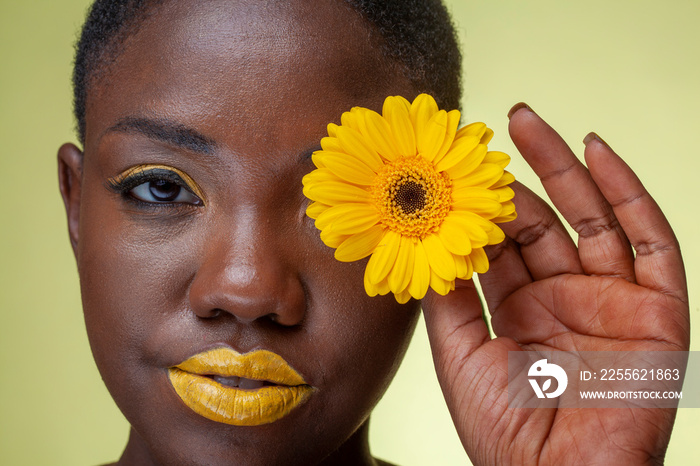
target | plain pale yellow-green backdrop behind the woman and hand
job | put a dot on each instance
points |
(629, 70)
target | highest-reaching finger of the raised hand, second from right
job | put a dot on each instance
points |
(603, 248)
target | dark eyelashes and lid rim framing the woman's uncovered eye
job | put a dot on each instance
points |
(127, 182)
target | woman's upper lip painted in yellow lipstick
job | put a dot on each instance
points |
(257, 365)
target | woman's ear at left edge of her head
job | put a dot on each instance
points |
(70, 172)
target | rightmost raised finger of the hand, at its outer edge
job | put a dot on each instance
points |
(658, 264)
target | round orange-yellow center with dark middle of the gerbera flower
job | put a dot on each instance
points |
(412, 197)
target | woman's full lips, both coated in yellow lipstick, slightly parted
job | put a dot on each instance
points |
(249, 389)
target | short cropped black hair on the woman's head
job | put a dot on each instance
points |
(416, 34)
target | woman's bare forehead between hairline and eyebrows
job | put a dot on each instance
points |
(244, 66)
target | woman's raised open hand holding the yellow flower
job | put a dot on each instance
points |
(545, 293)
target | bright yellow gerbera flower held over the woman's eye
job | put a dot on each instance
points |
(409, 189)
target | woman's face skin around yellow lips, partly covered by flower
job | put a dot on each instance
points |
(206, 244)
